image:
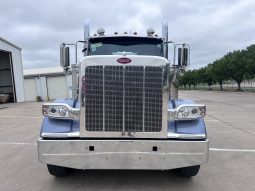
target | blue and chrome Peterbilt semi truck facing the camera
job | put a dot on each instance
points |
(124, 112)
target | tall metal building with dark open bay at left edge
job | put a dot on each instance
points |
(11, 71)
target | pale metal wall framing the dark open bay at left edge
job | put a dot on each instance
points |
(17, 69)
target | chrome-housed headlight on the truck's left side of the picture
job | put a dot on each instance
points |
(60, 111)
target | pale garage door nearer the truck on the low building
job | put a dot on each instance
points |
(56, 87)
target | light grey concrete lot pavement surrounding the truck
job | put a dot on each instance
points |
(231, 128)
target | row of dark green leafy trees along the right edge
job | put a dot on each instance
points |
(238, 65)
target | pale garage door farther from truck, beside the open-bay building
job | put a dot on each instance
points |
(30, 89)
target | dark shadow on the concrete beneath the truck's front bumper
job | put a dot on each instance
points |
(123, 180)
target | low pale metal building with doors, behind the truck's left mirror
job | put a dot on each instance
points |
(46, 84)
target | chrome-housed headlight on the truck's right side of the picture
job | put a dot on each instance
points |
(187, 112)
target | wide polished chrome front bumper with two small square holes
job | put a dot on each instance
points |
(123, 154)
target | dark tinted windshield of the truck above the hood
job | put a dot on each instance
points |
(127, 45)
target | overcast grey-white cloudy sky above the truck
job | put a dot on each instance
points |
(211, 27)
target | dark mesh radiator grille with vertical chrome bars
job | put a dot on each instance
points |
(123, 98)
